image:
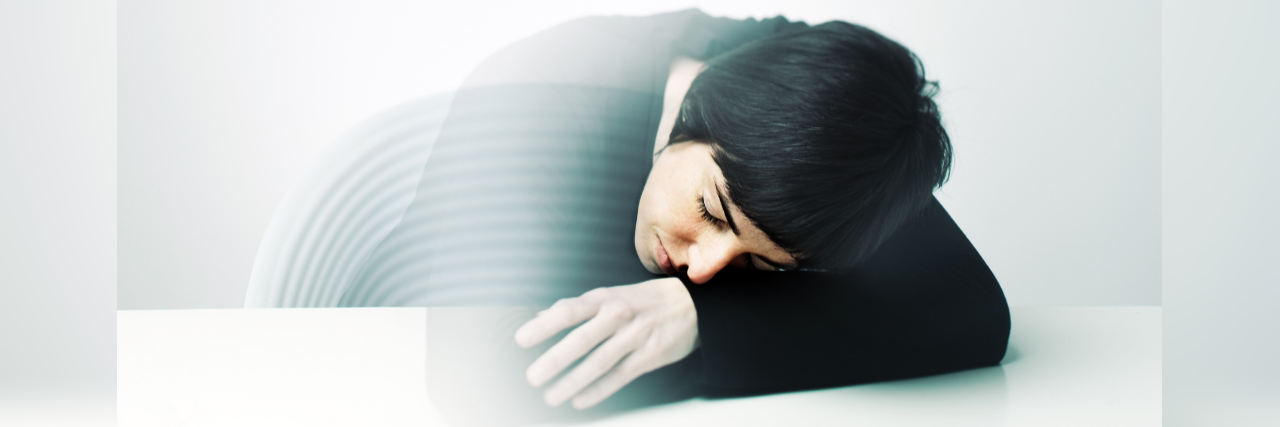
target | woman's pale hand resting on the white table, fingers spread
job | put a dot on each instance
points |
(644, 327)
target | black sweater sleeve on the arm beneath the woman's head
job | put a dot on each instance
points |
(925, 304)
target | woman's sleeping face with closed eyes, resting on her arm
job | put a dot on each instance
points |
(687, 222)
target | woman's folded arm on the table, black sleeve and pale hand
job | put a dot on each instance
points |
(925, 304)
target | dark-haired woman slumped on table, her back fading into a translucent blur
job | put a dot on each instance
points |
(671, 206)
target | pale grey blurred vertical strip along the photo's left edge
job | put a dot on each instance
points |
(57, 212)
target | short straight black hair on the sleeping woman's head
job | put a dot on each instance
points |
(829, 139)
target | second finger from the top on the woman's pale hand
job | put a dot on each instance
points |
(575, 346)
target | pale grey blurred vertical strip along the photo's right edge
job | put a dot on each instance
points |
(1222, 259)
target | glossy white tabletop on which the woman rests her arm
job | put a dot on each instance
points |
(1078, 366)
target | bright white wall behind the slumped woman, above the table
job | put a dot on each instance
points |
(1054, 111)
